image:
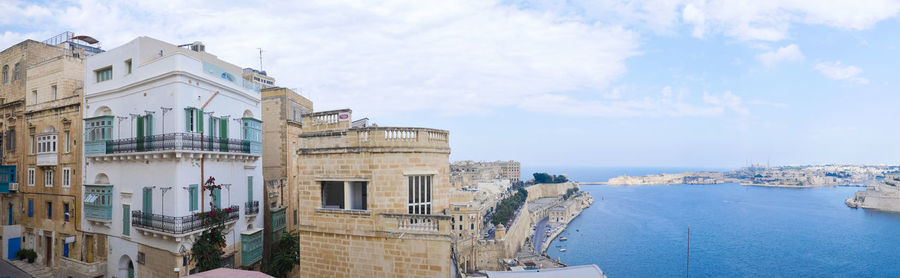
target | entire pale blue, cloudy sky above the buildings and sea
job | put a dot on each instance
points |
(658, 83)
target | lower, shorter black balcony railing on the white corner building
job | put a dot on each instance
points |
(176, 224)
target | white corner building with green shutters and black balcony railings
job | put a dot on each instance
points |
(160, 119)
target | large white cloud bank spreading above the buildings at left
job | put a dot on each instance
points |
(451, 57)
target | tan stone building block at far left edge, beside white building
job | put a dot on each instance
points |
(40, 107)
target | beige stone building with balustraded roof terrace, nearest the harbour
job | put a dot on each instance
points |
(373, 201)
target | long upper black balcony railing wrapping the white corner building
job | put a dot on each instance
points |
(173, 141)
